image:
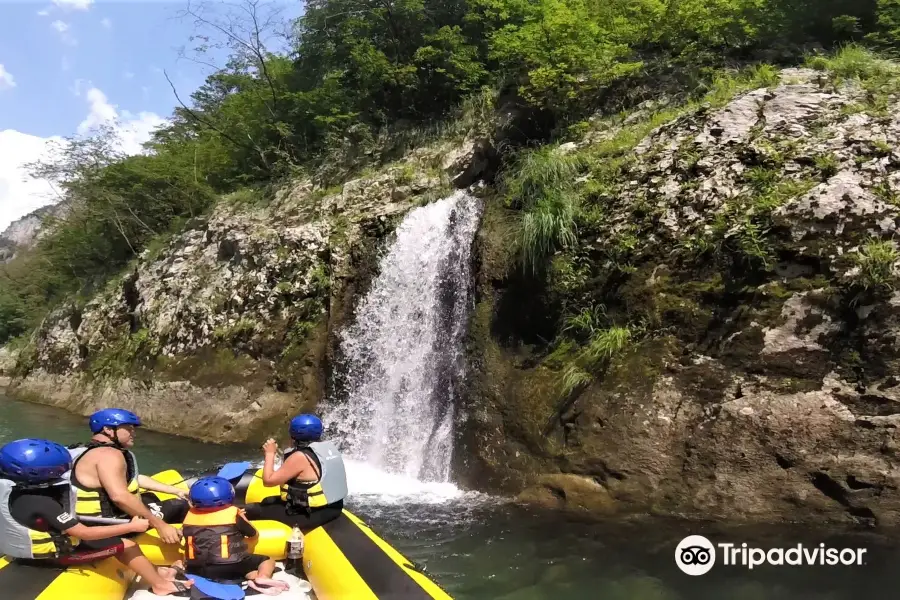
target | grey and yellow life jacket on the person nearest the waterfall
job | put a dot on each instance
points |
(331, 486)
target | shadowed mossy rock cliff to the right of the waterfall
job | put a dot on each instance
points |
(748, 250)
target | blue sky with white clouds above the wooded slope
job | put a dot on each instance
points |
(67, 66)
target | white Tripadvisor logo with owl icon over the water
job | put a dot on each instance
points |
(696, 555)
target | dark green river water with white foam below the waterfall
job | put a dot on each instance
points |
(480, 548)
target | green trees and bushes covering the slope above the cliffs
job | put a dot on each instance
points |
(360, 82)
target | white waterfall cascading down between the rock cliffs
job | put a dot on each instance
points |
(402, 357)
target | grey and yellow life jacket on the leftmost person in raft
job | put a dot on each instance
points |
(19, 541)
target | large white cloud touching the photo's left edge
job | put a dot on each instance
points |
(19, 194)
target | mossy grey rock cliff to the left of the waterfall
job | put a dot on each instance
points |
(223, 330)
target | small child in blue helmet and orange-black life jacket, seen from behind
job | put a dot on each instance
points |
(215, 545)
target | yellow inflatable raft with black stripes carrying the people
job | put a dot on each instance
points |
(343, 560)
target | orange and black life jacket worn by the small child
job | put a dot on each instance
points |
(213, 538)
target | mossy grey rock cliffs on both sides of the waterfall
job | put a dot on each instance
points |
(716, 339)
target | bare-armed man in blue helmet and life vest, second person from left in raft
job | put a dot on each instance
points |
(106, 478)
